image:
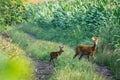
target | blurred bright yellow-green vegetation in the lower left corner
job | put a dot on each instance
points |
(14, 65)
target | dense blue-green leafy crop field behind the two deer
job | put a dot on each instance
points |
(84, 18)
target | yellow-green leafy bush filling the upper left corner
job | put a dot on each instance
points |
(12, 12)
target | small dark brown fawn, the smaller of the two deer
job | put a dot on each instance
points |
(54, 55)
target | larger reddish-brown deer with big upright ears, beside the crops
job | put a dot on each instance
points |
(88, 50)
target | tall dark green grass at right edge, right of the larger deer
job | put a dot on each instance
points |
(111, 59)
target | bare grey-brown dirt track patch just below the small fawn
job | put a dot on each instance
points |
(43, 70)
